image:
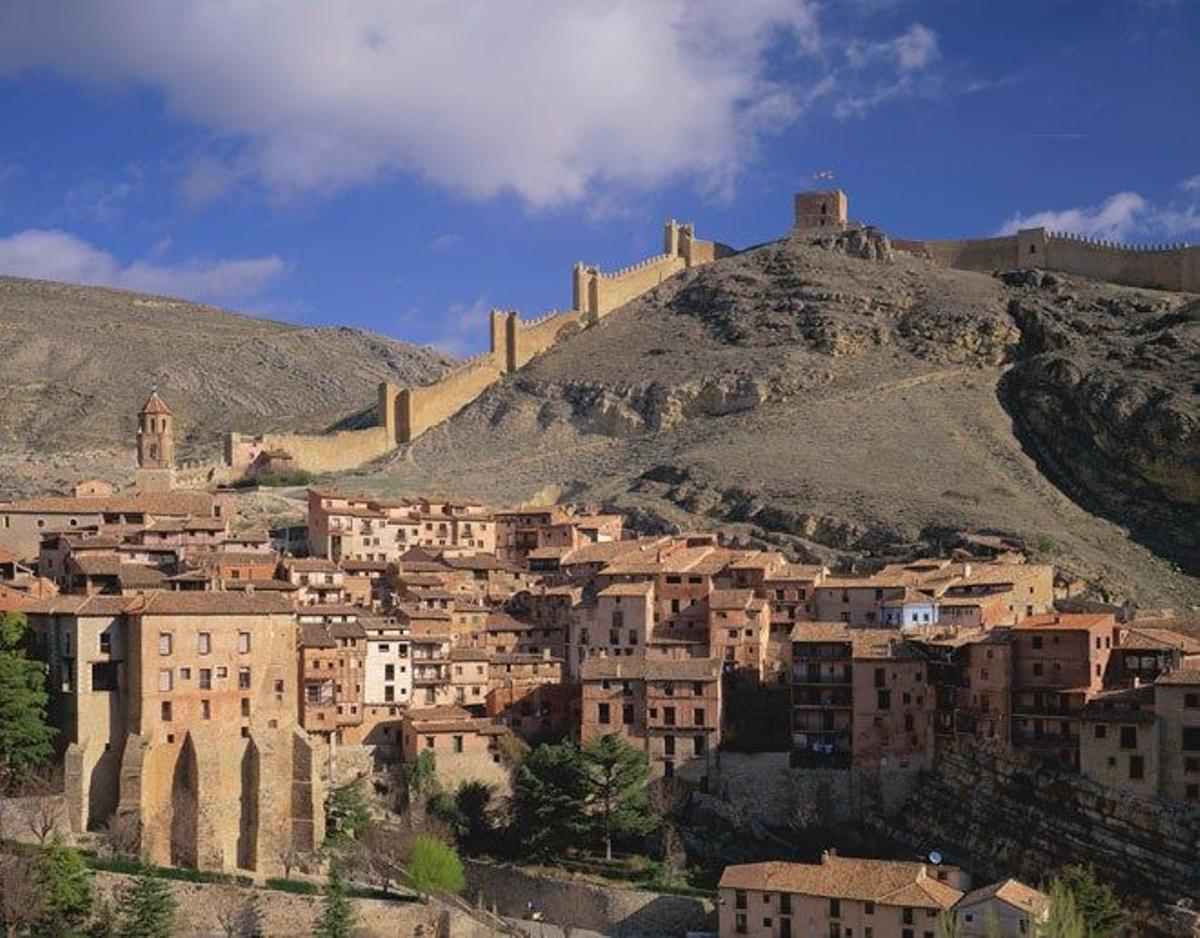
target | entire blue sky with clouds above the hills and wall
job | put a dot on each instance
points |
(406, 166)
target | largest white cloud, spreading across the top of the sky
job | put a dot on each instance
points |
(554, 101)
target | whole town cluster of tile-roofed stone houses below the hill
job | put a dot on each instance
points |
(421, 624)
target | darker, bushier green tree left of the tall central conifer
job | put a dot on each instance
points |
(549, 792)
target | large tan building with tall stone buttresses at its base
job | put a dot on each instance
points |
(175, 708)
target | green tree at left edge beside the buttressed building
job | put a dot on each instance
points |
(25, 735)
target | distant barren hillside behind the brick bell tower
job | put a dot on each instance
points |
(76, 363)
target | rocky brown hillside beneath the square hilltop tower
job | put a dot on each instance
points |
(847, 407)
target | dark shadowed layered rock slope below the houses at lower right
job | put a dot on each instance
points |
(998, 815)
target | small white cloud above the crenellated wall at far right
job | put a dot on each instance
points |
(1123, 217)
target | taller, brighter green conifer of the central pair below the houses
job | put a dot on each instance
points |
(617, 774)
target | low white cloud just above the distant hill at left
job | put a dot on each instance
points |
(59, 256)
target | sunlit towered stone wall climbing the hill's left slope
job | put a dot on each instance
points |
(406, 413)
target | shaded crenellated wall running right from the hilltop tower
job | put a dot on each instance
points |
(1157, 267)
